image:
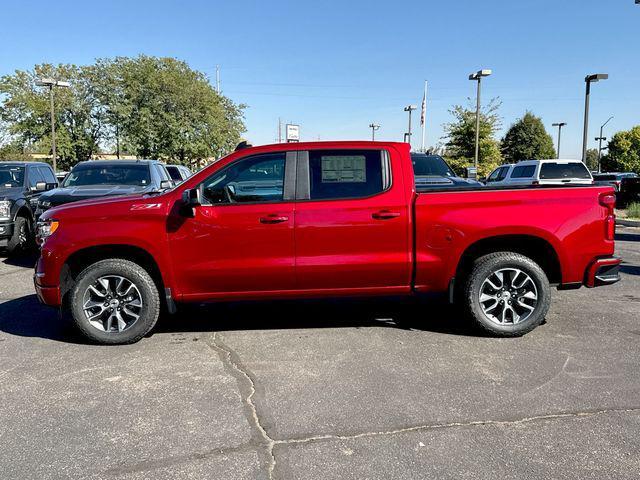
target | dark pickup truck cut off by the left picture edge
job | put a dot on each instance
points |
(21, 183)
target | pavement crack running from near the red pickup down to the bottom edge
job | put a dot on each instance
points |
(247, 384)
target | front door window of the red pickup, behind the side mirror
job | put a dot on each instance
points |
(259, 178)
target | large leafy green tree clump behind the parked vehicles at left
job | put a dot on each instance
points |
(153, 107)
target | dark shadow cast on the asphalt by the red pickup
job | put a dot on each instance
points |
(26, 317)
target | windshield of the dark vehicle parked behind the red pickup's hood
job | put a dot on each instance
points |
(137, 175)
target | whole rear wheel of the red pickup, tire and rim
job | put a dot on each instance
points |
(507, 294)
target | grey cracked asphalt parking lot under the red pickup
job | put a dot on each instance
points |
(325, 390)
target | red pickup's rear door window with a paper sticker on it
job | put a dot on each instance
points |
(347, 173)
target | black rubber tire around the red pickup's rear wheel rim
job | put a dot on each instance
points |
(482, 269)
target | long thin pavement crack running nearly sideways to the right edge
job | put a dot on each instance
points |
(474, 423)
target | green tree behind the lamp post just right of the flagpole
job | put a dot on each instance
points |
(460, 136)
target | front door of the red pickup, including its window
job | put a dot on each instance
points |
(241, 240)
